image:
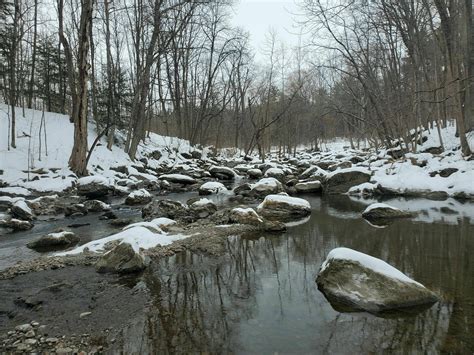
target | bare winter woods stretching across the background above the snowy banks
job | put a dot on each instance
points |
(369, 70)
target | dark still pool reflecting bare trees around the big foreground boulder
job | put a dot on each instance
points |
(262, 298)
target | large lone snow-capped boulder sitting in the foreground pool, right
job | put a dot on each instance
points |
(353, 281)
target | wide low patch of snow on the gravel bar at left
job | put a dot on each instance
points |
(138, 237)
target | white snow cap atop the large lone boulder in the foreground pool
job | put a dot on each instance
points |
(368, 262)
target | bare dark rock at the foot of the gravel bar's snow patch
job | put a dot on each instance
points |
(122, 259)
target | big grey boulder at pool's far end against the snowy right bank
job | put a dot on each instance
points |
(340, 181)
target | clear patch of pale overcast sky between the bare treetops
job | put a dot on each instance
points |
(257, 16)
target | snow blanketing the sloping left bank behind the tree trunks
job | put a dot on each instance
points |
(60, 133)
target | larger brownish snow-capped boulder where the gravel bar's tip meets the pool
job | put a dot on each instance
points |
(282, 206)
